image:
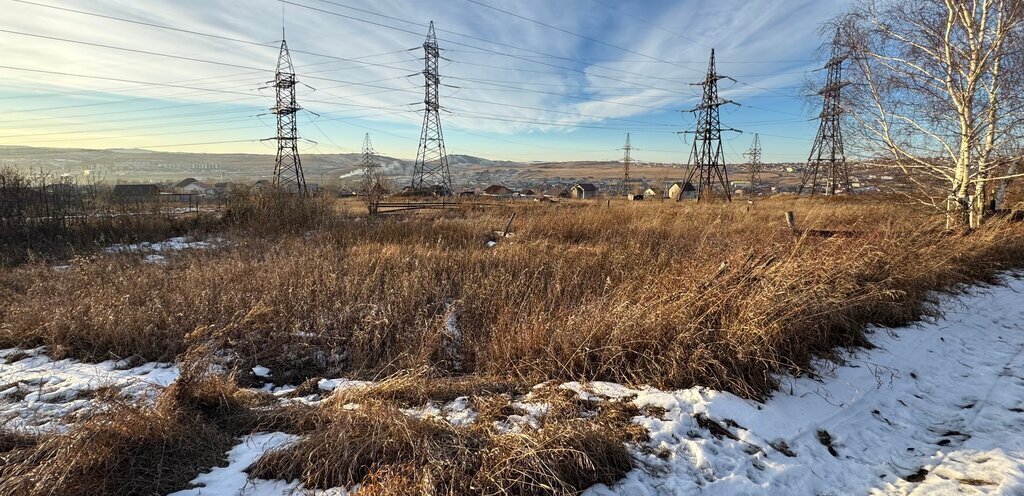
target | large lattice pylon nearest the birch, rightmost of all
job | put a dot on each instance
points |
(827, 171)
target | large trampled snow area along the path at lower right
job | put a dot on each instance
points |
(935, 409)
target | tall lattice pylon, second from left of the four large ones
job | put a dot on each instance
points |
(432, 175)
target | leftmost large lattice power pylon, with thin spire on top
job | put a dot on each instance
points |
(288, 168)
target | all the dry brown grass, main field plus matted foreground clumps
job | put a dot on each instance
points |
(436, 306)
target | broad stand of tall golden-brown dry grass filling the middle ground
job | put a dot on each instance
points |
(672, 296)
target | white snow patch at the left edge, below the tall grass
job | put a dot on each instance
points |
(40, 394)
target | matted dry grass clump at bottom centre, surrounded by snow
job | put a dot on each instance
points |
(376, 445)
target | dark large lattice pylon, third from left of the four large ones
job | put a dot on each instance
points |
(707, 158)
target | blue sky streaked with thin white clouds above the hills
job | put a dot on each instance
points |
(531, 80)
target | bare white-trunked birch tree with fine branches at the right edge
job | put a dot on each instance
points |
(935, 94)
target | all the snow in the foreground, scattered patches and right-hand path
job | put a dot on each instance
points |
(936, 408)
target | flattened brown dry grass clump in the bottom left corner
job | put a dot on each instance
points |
(131, 449)
